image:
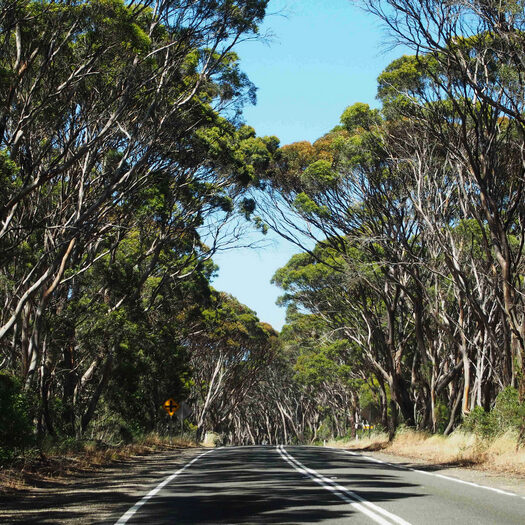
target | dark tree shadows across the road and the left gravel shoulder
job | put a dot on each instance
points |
(228, 486)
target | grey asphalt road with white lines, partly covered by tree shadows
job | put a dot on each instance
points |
(315, 485)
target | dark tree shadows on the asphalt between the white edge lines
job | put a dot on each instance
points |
(265, 489)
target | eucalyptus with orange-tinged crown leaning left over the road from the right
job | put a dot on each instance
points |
(343, 192)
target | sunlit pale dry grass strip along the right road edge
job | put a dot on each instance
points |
(499, 454)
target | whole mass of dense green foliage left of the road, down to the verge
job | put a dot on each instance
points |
(167, 158)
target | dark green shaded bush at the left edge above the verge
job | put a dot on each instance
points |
(16, 411)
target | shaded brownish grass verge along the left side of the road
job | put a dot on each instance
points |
(56, 461)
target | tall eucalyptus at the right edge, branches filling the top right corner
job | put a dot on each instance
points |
(465, 89)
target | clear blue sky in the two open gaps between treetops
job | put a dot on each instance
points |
(323, 56)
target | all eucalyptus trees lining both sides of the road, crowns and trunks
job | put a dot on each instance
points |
(125, 165)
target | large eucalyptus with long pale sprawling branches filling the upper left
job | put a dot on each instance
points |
(113, 146)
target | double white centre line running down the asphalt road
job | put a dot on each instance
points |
(345, 494)
